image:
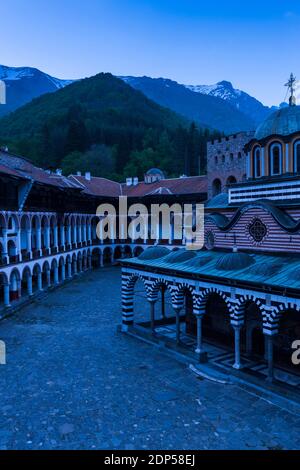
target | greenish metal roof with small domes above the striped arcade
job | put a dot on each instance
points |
(270, 270)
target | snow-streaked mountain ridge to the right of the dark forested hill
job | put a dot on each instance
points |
(220, 106)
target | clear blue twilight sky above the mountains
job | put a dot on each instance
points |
(254, 44)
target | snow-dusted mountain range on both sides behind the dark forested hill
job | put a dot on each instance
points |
(218, 106)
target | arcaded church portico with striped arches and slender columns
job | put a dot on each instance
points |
(219, 310)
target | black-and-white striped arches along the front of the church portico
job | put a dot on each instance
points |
(272, 307)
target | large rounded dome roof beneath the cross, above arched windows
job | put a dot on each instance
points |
(284, 121)
